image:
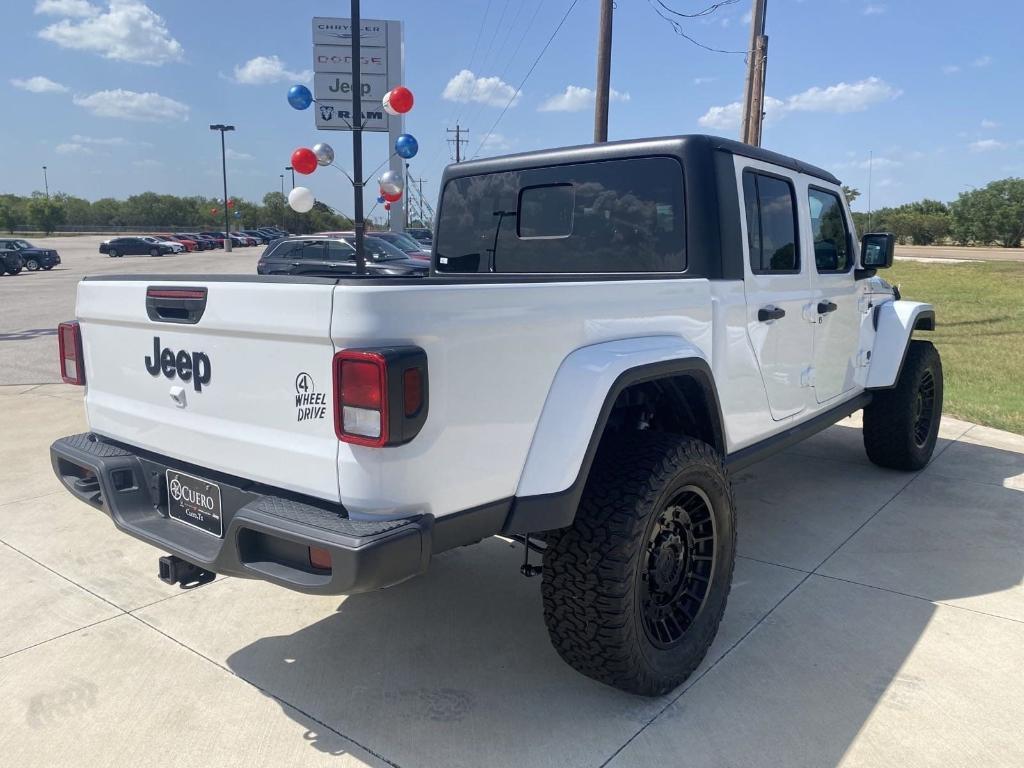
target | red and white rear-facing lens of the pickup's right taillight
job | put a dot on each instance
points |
(361, 387)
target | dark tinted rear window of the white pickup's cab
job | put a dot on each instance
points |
(607, 218)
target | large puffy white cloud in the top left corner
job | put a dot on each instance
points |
(129, 31)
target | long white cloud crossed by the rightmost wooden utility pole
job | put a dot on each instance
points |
(840, 99)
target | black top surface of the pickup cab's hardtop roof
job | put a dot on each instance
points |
(678, 146)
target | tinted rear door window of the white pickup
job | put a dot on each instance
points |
(772, 224)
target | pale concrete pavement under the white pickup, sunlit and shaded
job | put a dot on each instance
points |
(877, 619)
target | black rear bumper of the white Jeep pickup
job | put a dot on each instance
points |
(267, 536)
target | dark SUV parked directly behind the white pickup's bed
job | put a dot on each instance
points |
(333, 257)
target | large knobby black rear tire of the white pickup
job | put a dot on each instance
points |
(598, 572)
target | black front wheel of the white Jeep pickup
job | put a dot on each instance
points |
(902, 425)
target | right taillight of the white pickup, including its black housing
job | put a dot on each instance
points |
(380, 396)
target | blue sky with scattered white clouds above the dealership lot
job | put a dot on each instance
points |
(116, 98)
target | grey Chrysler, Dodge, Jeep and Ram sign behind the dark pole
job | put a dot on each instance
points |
(381, 67)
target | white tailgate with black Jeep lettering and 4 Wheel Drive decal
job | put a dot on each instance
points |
(246, 390)
